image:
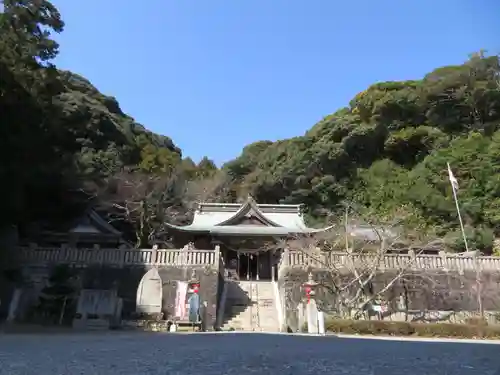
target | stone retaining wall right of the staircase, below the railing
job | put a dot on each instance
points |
(422, 291)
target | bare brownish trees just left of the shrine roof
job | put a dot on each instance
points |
(147, 202)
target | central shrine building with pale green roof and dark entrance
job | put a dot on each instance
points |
(247, 233)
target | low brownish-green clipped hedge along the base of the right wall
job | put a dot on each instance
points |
(471, 330)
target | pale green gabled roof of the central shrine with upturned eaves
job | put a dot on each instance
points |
(223, 218)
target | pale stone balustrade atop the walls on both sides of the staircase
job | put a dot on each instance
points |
(195, 257)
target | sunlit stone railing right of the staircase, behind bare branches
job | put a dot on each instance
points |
(445, 261)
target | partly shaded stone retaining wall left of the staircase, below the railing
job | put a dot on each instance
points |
(127, 279)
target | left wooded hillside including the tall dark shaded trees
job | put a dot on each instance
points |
(56, 129)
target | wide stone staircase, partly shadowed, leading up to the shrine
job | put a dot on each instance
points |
(251, 306)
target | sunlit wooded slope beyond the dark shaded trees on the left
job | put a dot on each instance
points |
(106, 137)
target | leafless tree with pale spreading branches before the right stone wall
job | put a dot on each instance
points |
(350, 271)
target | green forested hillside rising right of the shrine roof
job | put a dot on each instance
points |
(387, 153)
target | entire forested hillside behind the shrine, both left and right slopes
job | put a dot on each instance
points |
(385, 153)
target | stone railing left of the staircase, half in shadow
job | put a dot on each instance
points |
(120, 257)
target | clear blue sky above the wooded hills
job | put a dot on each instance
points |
(216, 75)
